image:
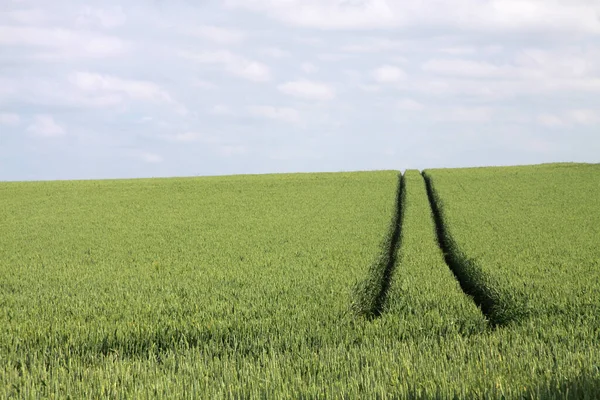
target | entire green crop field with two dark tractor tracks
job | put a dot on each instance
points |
(329, 285)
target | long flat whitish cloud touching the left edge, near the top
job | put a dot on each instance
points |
(62, 43)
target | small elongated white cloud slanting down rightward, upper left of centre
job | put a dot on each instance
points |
(234, 64)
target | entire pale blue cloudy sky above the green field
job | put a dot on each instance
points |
(156, 88)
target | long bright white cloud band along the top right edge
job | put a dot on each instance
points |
(478, 15)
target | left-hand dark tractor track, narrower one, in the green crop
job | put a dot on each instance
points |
(370, 294)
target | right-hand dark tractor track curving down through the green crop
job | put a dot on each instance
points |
(499, 308)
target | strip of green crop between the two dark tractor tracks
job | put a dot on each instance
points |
(424, 287)
